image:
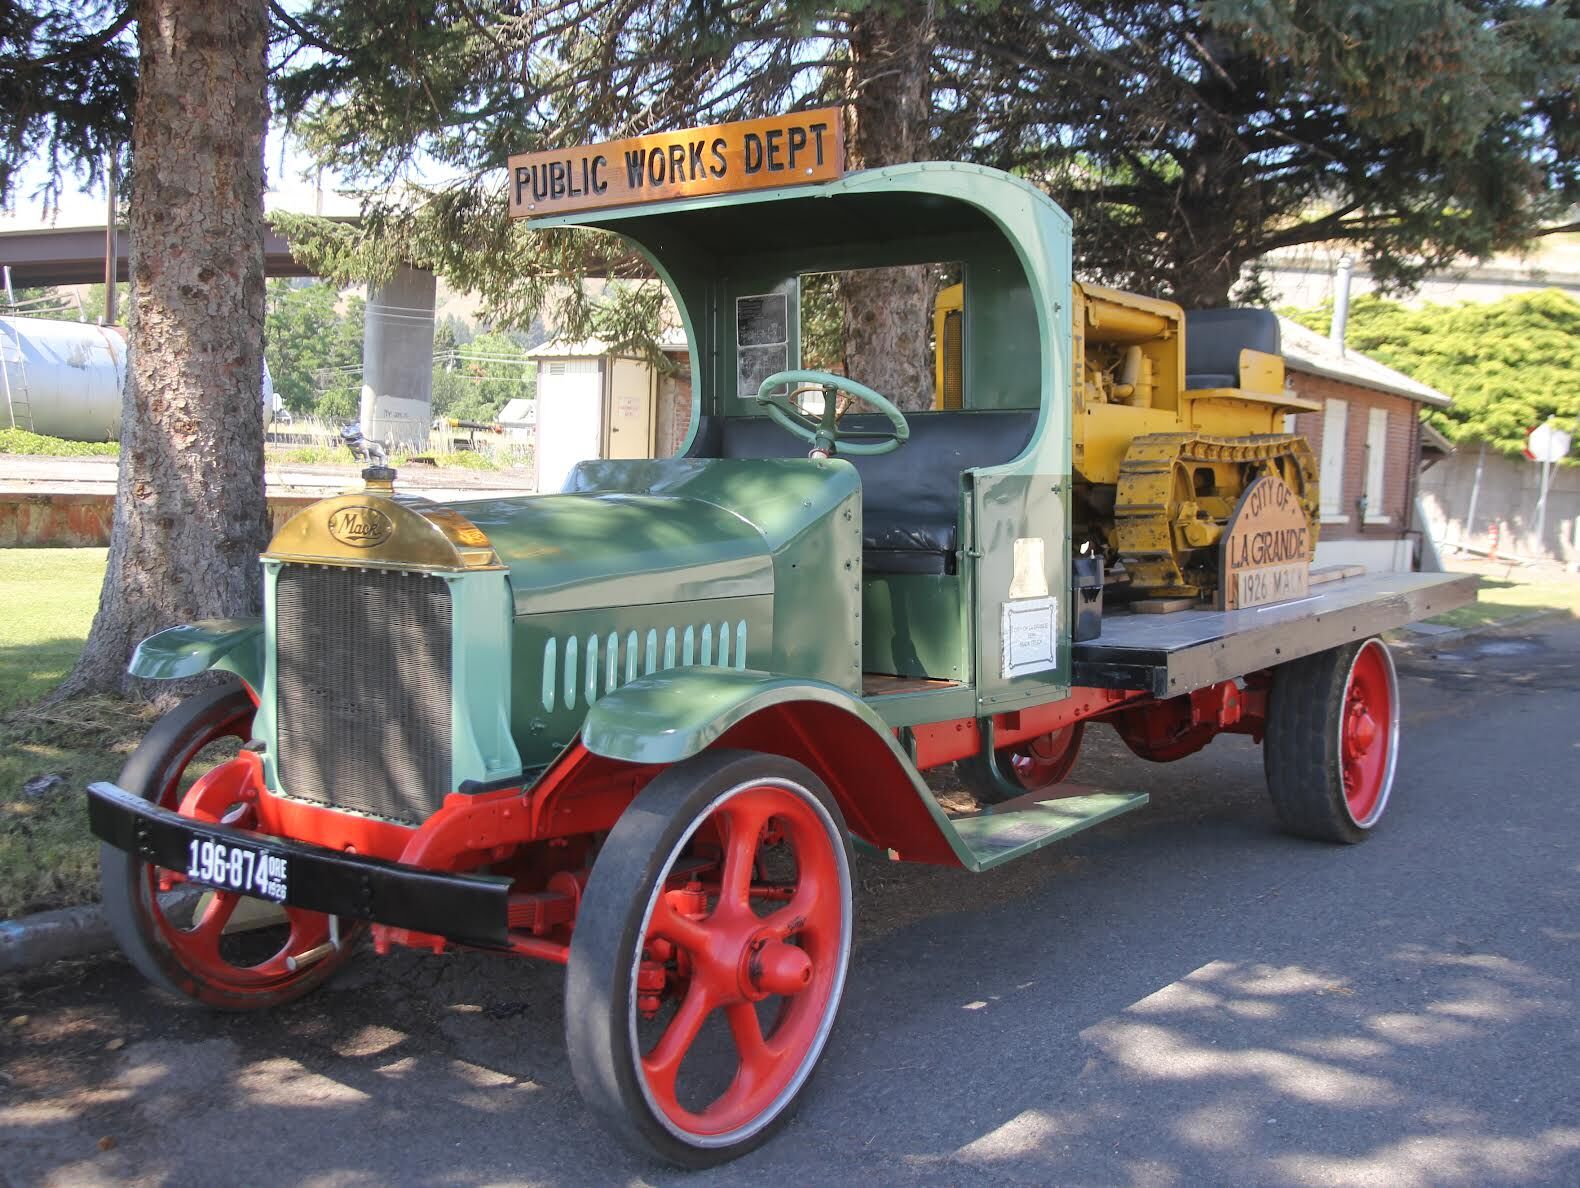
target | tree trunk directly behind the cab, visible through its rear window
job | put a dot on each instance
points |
(889, 312)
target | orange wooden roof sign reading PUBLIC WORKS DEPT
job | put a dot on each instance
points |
(723, 159)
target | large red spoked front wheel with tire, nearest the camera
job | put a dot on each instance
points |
(710, 957)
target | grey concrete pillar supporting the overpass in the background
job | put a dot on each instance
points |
(397, 359)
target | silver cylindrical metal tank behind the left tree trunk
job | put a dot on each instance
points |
(64, 380)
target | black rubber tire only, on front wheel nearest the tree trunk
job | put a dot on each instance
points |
(171, 745)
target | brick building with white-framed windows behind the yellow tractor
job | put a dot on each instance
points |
(1369, 445)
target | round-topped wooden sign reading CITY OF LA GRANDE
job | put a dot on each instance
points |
(1266, 547)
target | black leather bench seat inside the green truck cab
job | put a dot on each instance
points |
(911, 497)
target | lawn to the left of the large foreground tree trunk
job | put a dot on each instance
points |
(47, 855)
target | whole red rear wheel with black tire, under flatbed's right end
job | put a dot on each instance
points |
(1333, 742)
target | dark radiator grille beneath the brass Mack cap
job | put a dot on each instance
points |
(364, 690)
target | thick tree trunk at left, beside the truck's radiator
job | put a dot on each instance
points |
(190, 514)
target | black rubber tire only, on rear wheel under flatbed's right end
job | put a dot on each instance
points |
(1301, 753)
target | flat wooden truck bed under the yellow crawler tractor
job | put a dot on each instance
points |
(1170, 655)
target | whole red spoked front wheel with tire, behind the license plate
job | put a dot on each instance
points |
(213, 947)
